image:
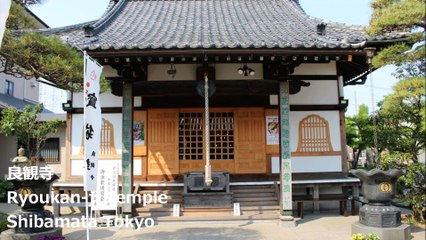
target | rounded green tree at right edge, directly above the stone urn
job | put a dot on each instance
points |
(401, 118)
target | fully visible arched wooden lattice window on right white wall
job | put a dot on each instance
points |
(314, 136)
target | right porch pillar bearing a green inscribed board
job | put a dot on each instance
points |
(285, 177)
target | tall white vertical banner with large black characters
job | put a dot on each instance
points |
(92, 121)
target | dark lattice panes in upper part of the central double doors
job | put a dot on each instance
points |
(191, 138)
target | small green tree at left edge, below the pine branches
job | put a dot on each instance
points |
(31, 132)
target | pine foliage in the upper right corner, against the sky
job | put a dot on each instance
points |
(401, 16)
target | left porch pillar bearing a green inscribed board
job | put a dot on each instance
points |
(127, 139)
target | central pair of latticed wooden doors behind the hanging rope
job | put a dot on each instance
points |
(192, 148)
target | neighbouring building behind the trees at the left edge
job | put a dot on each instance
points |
(18, 92)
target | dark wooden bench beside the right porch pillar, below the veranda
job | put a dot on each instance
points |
(341, 198)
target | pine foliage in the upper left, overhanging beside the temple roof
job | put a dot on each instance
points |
(29, 54)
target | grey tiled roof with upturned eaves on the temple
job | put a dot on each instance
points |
(210, 24)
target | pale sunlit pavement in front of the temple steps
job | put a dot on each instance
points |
(329, 226)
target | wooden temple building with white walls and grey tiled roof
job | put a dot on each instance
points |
(274, 76)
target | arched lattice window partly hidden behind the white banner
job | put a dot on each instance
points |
(107, 139)
